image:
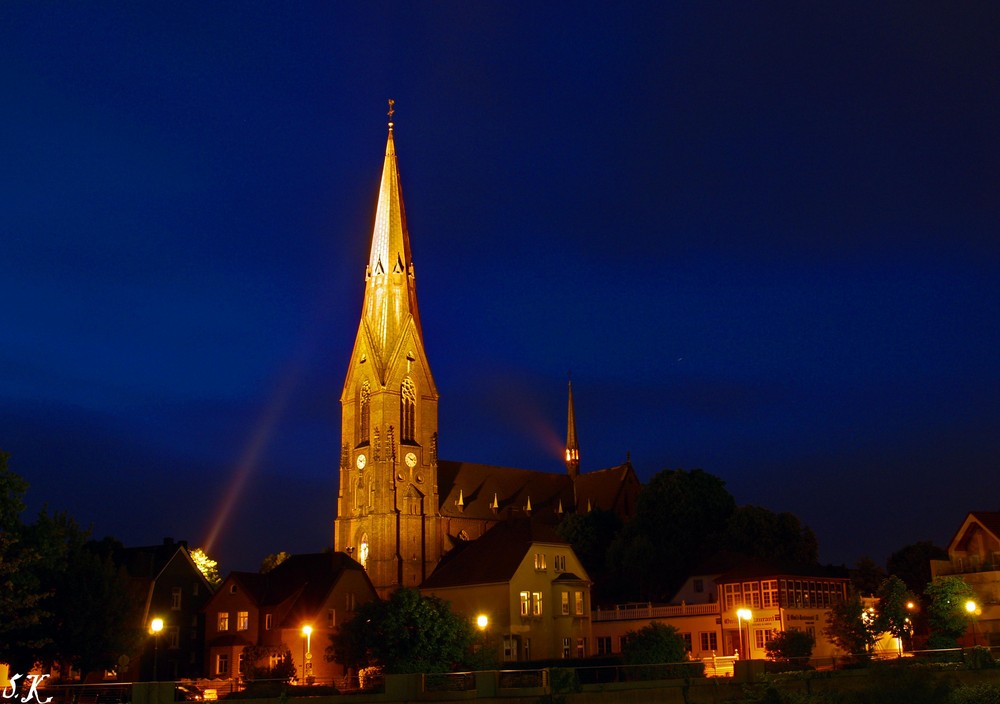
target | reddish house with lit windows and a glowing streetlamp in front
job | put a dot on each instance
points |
(256, 619)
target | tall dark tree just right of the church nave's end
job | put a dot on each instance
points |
(677, 520)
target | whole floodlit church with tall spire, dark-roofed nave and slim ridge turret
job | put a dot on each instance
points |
(401, 509)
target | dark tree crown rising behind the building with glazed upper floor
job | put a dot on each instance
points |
(776, 537)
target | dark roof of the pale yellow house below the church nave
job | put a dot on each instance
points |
(493, 558)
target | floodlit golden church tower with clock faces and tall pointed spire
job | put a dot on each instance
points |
(387, 505)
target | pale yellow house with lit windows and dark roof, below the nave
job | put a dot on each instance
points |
(528, 583)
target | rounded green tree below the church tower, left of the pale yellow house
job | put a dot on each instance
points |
(406, 633)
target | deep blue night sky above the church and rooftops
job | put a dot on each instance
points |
(762, 237)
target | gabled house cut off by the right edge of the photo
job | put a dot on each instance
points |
(974, 555)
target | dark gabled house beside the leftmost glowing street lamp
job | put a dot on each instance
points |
(167, 585)
